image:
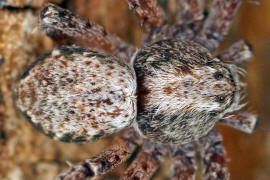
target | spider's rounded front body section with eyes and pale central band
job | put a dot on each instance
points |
(179, 90)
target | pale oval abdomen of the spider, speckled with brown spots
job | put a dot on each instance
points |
(77, 94)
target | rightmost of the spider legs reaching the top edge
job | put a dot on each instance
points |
(218, 23)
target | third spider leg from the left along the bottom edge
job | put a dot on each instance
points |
(184, 162)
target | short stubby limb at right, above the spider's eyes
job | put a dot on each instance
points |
(237, 53)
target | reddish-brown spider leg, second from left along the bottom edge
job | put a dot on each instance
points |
(146, 162)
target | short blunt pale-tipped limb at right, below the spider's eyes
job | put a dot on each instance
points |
(241, 120)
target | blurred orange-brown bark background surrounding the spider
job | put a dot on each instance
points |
(27, 154)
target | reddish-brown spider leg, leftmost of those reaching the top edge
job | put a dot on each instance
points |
(148, 11)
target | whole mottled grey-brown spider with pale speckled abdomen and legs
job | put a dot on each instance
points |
(165, 97)
